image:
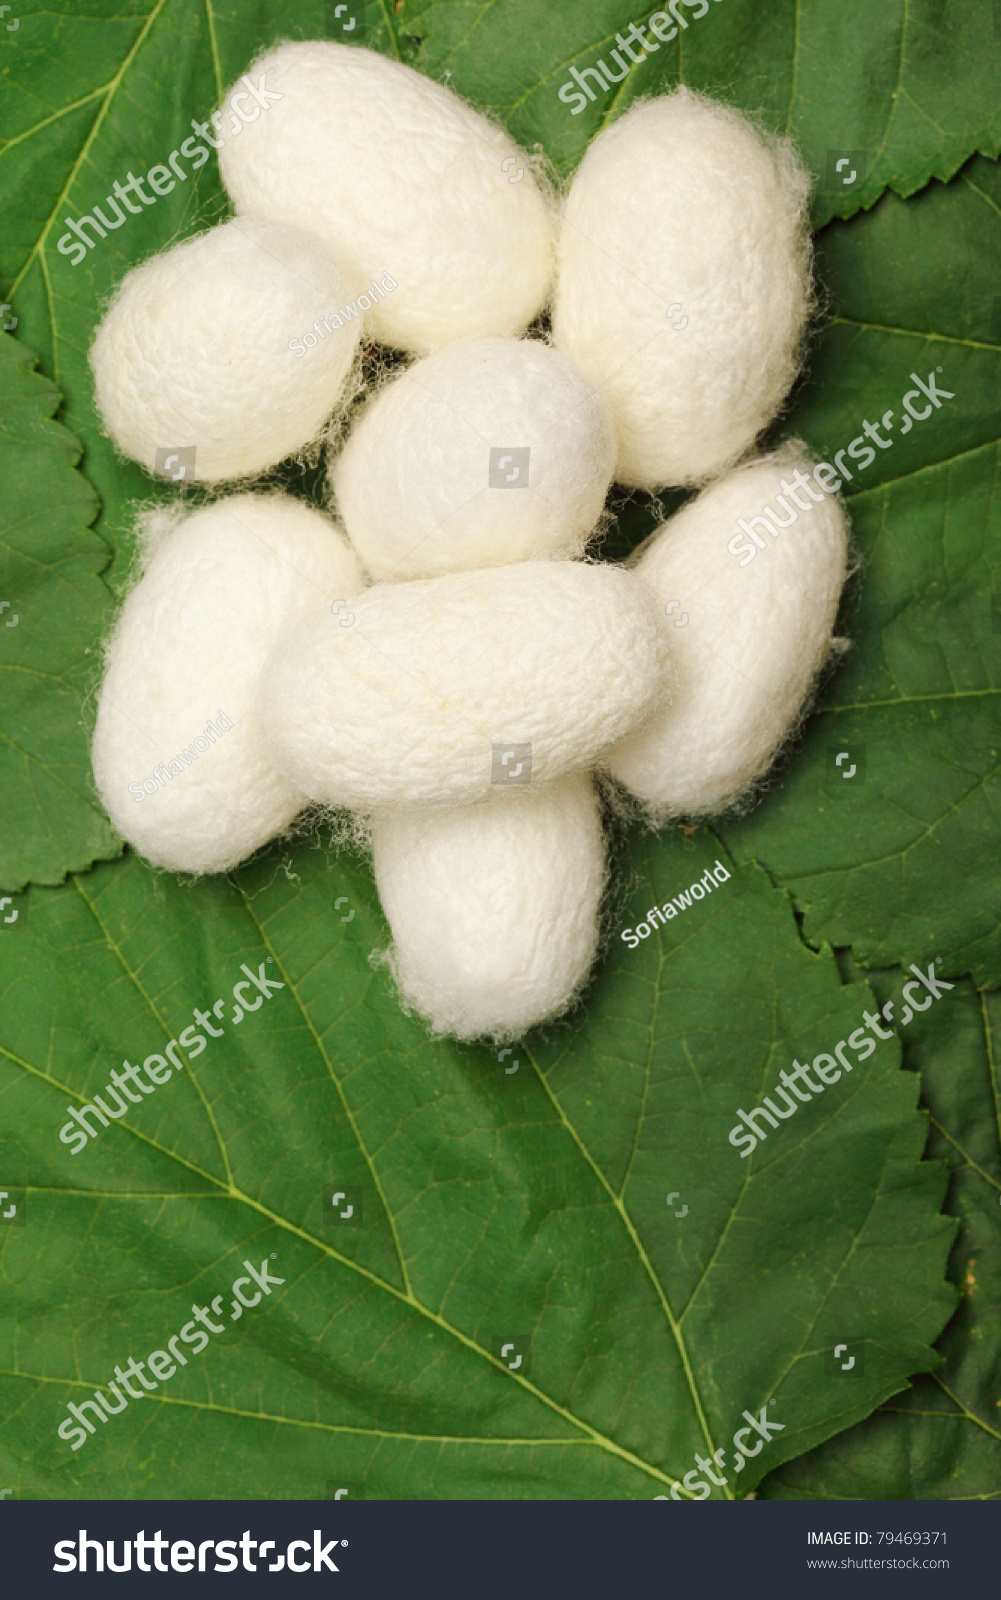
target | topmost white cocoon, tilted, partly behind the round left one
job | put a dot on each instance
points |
(399, 177)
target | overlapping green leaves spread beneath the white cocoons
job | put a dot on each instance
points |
(532, 1204)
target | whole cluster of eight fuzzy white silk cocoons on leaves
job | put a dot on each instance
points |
(437, 652)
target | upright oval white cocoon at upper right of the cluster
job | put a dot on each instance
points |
(684, 284)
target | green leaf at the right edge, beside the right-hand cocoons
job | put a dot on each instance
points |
(903, 863)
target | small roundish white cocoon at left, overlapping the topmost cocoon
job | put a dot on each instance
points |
(196, 350)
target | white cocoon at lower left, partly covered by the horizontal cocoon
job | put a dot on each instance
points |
(218, 590)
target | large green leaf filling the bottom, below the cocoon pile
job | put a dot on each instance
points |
(559, 1279)
